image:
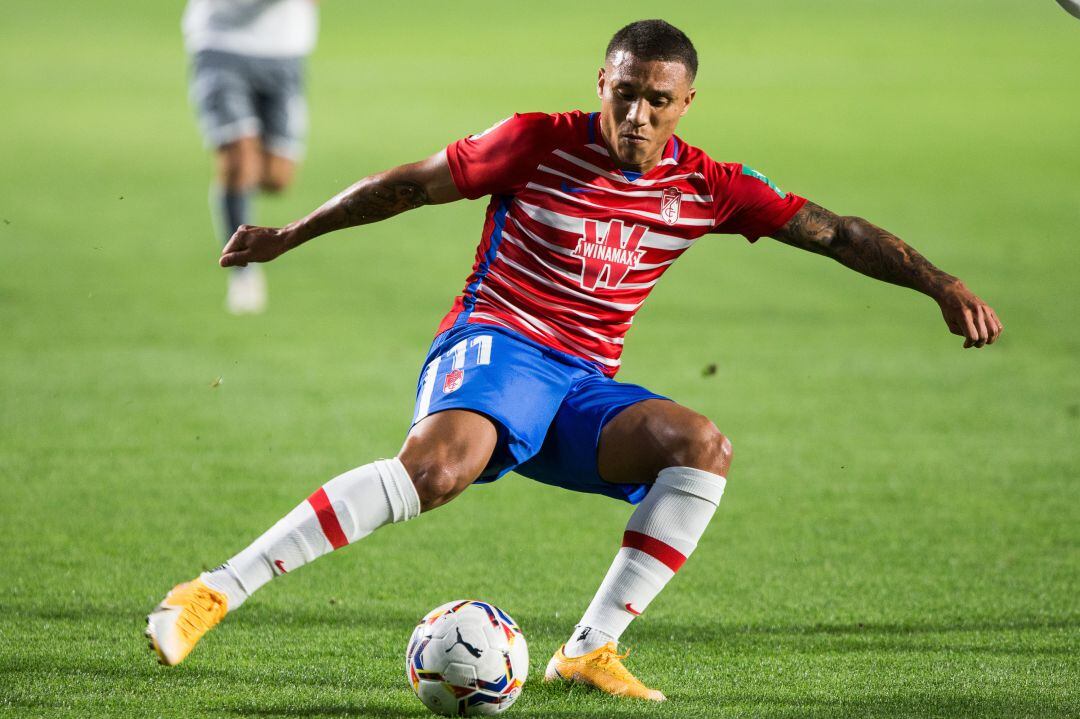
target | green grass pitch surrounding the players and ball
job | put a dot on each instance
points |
(901, 533)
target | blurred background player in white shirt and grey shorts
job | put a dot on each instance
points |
(248, 87)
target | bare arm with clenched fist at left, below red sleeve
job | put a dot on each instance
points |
(373, 199)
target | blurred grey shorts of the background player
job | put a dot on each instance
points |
(240, 97)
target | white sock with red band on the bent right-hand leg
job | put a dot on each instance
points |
(661, 534)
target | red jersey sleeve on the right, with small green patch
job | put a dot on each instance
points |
(750, 205)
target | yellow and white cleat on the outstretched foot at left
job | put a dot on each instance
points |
(186, 614)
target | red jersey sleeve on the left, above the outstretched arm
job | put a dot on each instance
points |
(499, 160)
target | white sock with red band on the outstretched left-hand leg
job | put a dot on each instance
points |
(346, 509)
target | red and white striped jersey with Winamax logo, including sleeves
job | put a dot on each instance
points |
(573, 246)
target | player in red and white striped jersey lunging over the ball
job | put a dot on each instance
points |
(587, 212)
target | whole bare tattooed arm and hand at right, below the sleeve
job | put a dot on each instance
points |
(876, 253)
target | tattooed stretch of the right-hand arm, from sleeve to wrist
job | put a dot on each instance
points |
(865, 248)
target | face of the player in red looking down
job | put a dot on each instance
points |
(642, 102)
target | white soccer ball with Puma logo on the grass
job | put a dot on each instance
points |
(467, 658)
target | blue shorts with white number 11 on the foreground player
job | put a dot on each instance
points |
(549, 408)
